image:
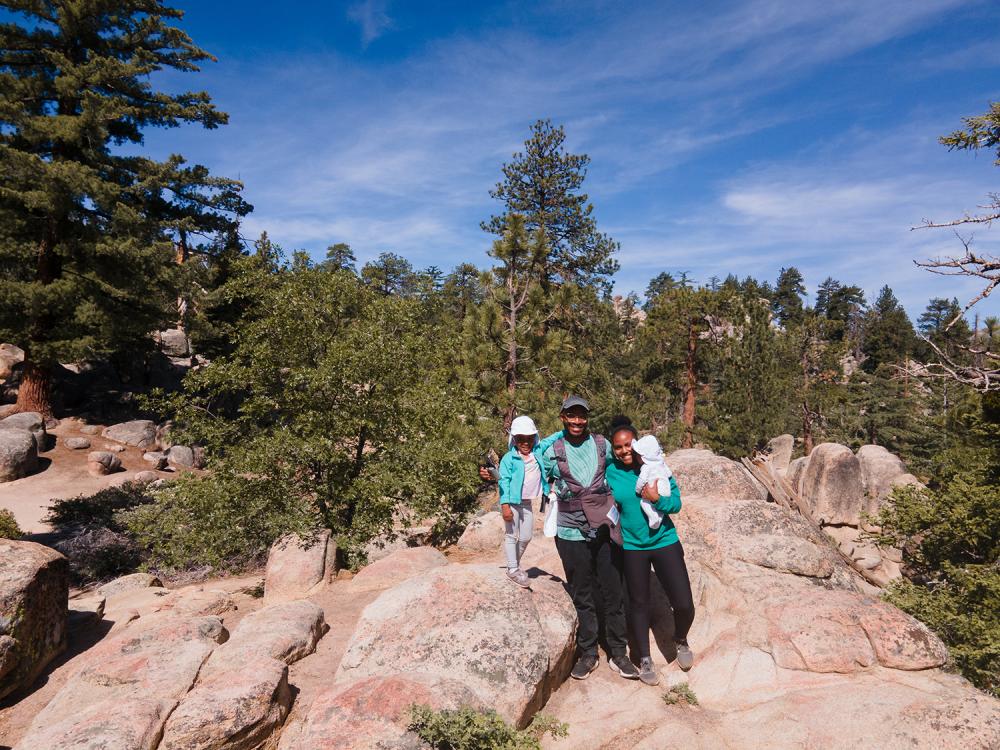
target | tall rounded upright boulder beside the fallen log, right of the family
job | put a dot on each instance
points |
(832, 486)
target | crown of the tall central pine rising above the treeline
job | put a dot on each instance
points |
(542, 184)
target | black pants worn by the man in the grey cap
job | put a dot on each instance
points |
(594, 575)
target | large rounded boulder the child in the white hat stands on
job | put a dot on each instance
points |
(464, 623)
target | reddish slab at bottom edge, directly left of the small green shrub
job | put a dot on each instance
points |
(374, 712)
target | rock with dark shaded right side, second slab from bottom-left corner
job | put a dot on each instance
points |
(236, 710)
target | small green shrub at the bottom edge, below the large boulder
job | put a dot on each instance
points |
(468, 729)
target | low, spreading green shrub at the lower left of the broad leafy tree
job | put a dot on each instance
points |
(225, 521)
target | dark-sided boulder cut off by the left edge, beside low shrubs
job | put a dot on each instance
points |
(34, 588)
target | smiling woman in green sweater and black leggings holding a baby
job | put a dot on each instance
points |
(645, 547)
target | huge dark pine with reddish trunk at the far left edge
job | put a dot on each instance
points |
(86, 230)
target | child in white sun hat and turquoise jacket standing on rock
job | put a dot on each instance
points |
(522, 485)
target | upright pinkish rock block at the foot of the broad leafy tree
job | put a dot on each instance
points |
(297, 567)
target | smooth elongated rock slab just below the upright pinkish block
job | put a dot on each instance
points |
(286, 632)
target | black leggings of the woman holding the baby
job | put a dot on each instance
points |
(668, 564)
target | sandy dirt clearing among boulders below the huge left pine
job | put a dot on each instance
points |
(63, 474)
